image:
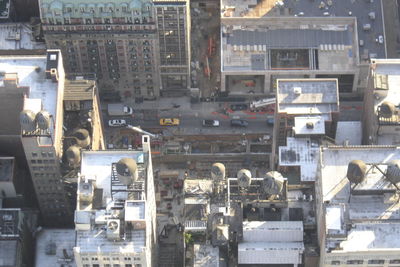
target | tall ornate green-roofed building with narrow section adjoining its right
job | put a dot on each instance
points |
(137, 48)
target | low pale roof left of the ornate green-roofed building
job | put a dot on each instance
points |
(17, 36)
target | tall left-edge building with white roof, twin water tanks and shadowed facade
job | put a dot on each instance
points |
(35, 84)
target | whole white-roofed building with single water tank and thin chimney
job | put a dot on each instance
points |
(115, 217)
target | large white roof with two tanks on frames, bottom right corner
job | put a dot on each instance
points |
(371, 207)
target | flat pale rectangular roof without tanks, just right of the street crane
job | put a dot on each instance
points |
(307, 96)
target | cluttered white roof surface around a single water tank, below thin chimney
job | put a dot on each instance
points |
(113, 219)
